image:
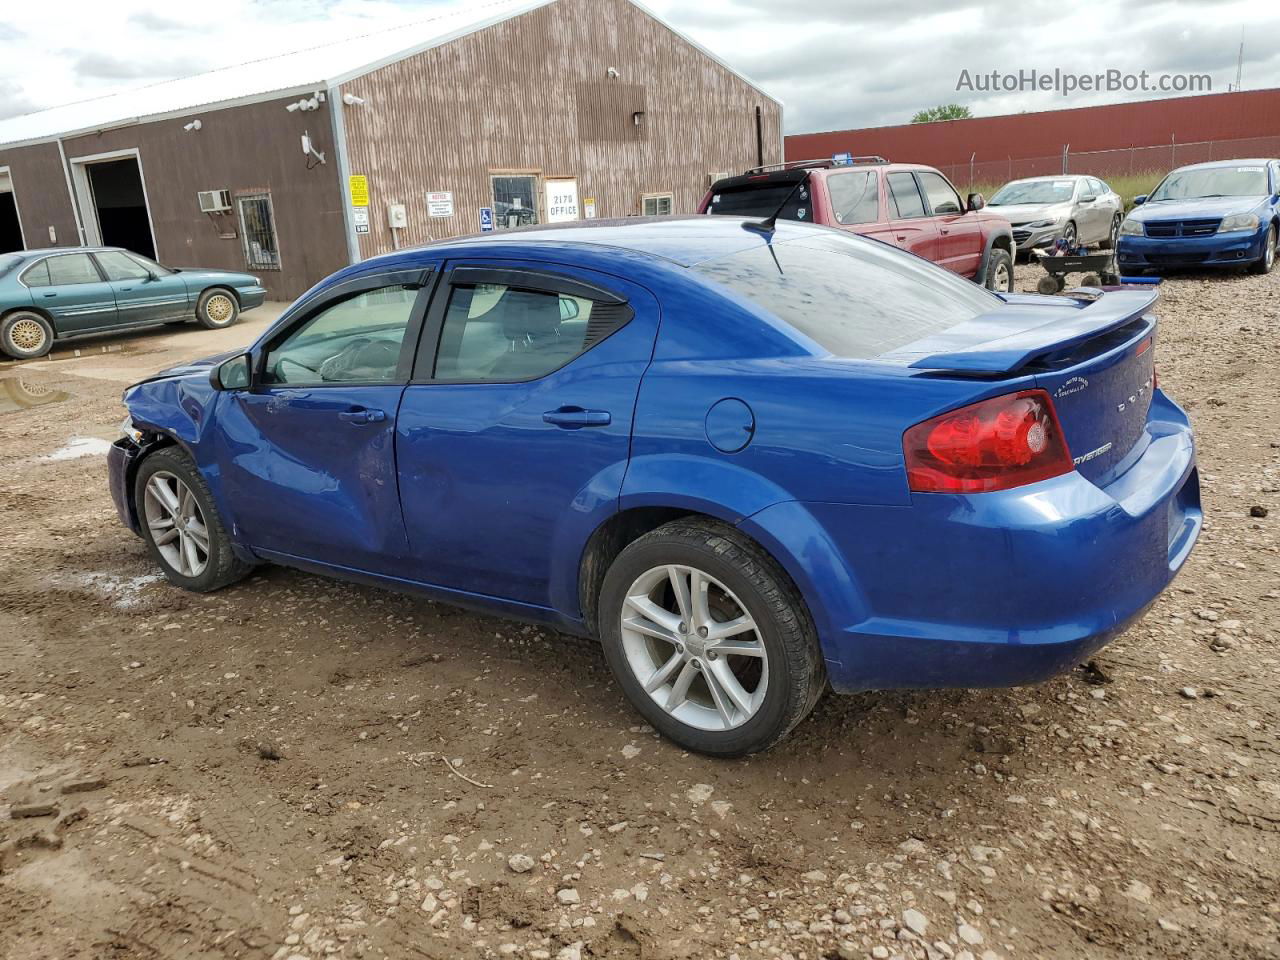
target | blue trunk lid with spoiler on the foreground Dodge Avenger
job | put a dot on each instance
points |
(1095, 359)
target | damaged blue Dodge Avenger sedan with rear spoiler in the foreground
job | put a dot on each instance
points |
(755, 460)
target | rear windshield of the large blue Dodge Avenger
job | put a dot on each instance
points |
(856, 298)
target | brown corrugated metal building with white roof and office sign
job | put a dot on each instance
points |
(291, 167)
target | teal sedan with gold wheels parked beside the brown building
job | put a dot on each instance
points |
(52, 295)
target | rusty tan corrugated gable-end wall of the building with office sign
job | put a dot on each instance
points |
(534, 95)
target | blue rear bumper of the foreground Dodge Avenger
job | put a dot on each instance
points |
(996, 589)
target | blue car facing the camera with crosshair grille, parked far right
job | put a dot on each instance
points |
(1219, 214)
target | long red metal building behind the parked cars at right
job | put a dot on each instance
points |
(1151, 135)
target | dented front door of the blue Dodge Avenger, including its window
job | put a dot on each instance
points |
(307, 455)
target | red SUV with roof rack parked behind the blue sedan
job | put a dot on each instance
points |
(908, 205)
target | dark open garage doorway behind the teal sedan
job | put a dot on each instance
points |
(115, 203)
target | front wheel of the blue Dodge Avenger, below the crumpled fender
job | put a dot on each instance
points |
(172, 469)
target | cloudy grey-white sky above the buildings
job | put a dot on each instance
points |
(838, 65)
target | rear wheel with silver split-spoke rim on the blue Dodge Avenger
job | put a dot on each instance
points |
(779, 684)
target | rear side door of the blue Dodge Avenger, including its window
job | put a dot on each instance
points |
(514, 437)
